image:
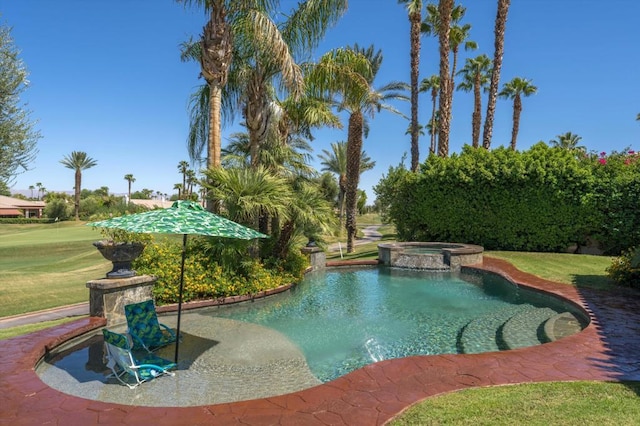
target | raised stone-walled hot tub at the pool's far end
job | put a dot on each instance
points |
(429, 255)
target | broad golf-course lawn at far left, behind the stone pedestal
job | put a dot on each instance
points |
(47, 265)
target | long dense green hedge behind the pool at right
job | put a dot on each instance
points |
(542, 199)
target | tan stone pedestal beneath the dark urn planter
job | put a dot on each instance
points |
(107, 296)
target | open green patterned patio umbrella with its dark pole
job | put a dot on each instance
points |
(183, 217)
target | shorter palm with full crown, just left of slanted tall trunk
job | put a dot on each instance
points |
(476, 77)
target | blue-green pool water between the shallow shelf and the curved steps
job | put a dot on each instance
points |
(344, 320)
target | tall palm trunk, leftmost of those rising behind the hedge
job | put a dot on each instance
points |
(414, 9)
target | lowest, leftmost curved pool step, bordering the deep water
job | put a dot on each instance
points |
(480, 334)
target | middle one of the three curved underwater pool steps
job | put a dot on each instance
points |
(525, 328)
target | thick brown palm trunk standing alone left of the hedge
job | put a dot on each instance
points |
(354, 149)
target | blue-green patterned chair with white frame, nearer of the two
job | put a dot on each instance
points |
(122, 361)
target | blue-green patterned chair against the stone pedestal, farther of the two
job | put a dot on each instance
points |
(144, 327)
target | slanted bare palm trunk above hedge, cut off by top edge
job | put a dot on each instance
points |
(501, 23)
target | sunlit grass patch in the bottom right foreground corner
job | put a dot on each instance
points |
(556, 403)
